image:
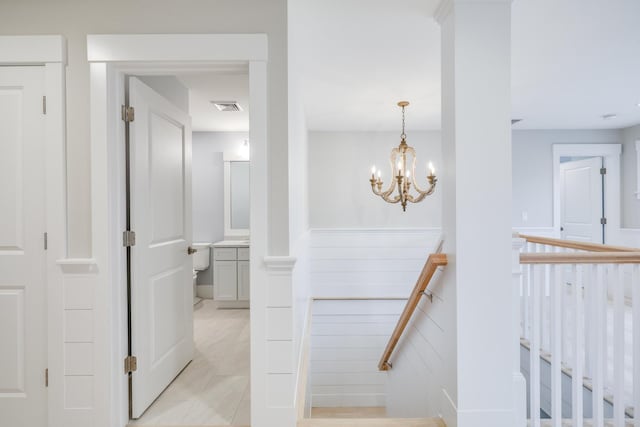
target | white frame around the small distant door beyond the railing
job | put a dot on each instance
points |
(610, 154)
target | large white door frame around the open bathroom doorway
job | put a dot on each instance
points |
(110, 57)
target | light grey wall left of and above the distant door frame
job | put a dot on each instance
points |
(533, 170)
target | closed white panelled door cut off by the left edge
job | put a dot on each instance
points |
(23, 339)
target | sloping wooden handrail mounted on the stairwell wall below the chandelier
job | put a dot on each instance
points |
(433, 262)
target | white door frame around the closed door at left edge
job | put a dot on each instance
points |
(51, 53)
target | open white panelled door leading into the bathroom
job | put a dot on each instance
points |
(162, 279)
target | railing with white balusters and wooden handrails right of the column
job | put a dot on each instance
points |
(577, 301)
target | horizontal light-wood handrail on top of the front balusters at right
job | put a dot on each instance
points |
(581, 258)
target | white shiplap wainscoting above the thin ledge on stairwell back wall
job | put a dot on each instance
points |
(347, 263)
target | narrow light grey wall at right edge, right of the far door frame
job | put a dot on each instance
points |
(630, 202)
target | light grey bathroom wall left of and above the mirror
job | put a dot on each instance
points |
(208, 187)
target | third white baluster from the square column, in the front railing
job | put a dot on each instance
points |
(578, 348)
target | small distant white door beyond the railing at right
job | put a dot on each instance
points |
(581, 200)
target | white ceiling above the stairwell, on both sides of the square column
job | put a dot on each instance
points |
(572, 62)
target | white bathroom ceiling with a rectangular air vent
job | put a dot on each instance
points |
(227, 85)
